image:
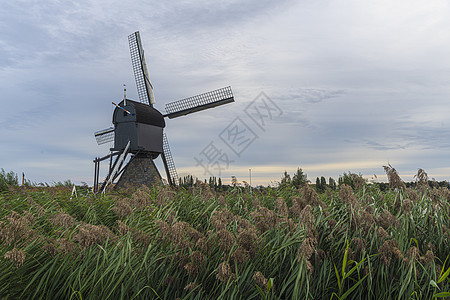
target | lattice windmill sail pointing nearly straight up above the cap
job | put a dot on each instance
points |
(143, 85)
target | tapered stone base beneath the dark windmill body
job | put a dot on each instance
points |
(141, 170)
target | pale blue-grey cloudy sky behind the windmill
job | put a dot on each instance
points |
(339, 86)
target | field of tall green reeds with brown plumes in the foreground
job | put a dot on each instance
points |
(196, 243)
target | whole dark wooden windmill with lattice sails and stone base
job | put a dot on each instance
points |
(138, 129)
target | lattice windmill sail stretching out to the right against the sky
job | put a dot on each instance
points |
(200, 102)
